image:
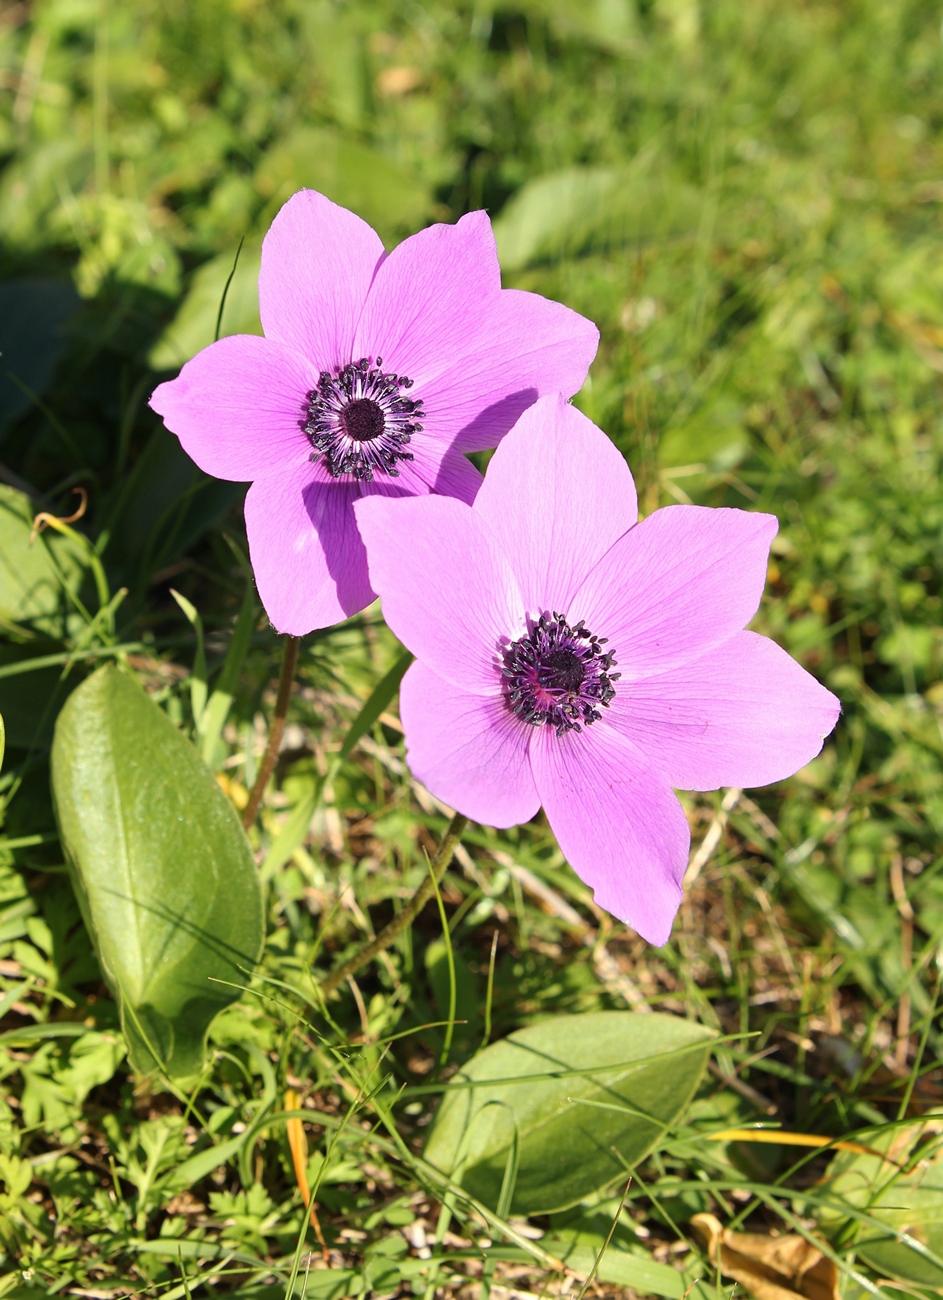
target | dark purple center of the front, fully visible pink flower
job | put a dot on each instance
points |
(559, 677)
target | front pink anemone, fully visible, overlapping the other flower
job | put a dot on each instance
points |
(573, 657)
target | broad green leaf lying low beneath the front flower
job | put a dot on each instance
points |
(585, 1098)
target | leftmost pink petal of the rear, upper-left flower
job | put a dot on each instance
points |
(237, 408)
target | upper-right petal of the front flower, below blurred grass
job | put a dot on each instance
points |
(677, 586)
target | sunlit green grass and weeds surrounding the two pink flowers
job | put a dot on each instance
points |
(749, 203)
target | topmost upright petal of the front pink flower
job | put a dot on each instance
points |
(557, 496)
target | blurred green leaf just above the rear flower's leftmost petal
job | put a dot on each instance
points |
(194, 326)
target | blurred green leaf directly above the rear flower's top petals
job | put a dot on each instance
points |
(358, 177)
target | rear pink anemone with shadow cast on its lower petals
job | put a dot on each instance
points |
(375, 376)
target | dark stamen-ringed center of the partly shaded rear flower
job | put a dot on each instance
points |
(360, 421)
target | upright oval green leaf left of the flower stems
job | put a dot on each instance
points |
(162, 869)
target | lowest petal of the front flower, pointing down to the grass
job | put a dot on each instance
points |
(618, 824)
